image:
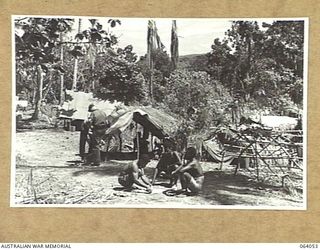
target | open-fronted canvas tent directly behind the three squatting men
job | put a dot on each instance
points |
(137, 125)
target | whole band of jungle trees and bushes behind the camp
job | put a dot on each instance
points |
(255, 64)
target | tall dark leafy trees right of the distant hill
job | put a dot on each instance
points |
(260, 63)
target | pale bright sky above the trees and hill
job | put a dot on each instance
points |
(195, 35)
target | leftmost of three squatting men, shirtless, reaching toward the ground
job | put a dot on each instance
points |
(133, 175)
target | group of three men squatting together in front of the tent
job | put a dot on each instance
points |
(188, 171)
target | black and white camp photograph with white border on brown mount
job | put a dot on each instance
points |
(203, 113)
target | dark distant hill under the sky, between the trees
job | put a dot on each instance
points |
(196, 62)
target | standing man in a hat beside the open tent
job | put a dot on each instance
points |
(97, 121)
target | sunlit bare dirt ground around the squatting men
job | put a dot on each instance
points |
(48, 172)
